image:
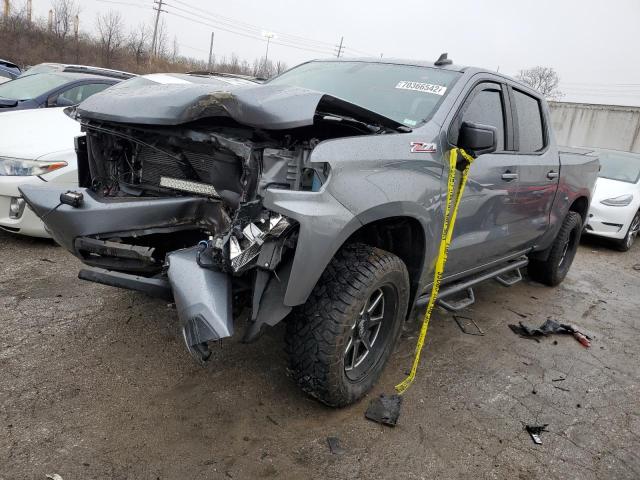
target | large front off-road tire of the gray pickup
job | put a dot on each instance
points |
(320, 331)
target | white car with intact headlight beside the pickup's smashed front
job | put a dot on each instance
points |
(36, 146)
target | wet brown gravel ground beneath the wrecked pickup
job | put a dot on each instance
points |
(95, 383)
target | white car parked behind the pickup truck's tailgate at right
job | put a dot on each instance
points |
(615, 207)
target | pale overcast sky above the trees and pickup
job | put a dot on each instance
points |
(592, 44)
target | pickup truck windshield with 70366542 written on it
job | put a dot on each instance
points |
(404, 93)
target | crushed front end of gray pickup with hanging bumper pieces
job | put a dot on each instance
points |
(177, 211)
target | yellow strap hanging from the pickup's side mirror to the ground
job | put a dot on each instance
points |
(450, 213)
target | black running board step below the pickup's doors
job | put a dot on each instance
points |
(507, 274)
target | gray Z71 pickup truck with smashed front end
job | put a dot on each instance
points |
(317, 197)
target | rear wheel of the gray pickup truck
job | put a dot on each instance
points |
(554, 269)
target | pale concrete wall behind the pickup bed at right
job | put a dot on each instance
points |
(604, 126)
